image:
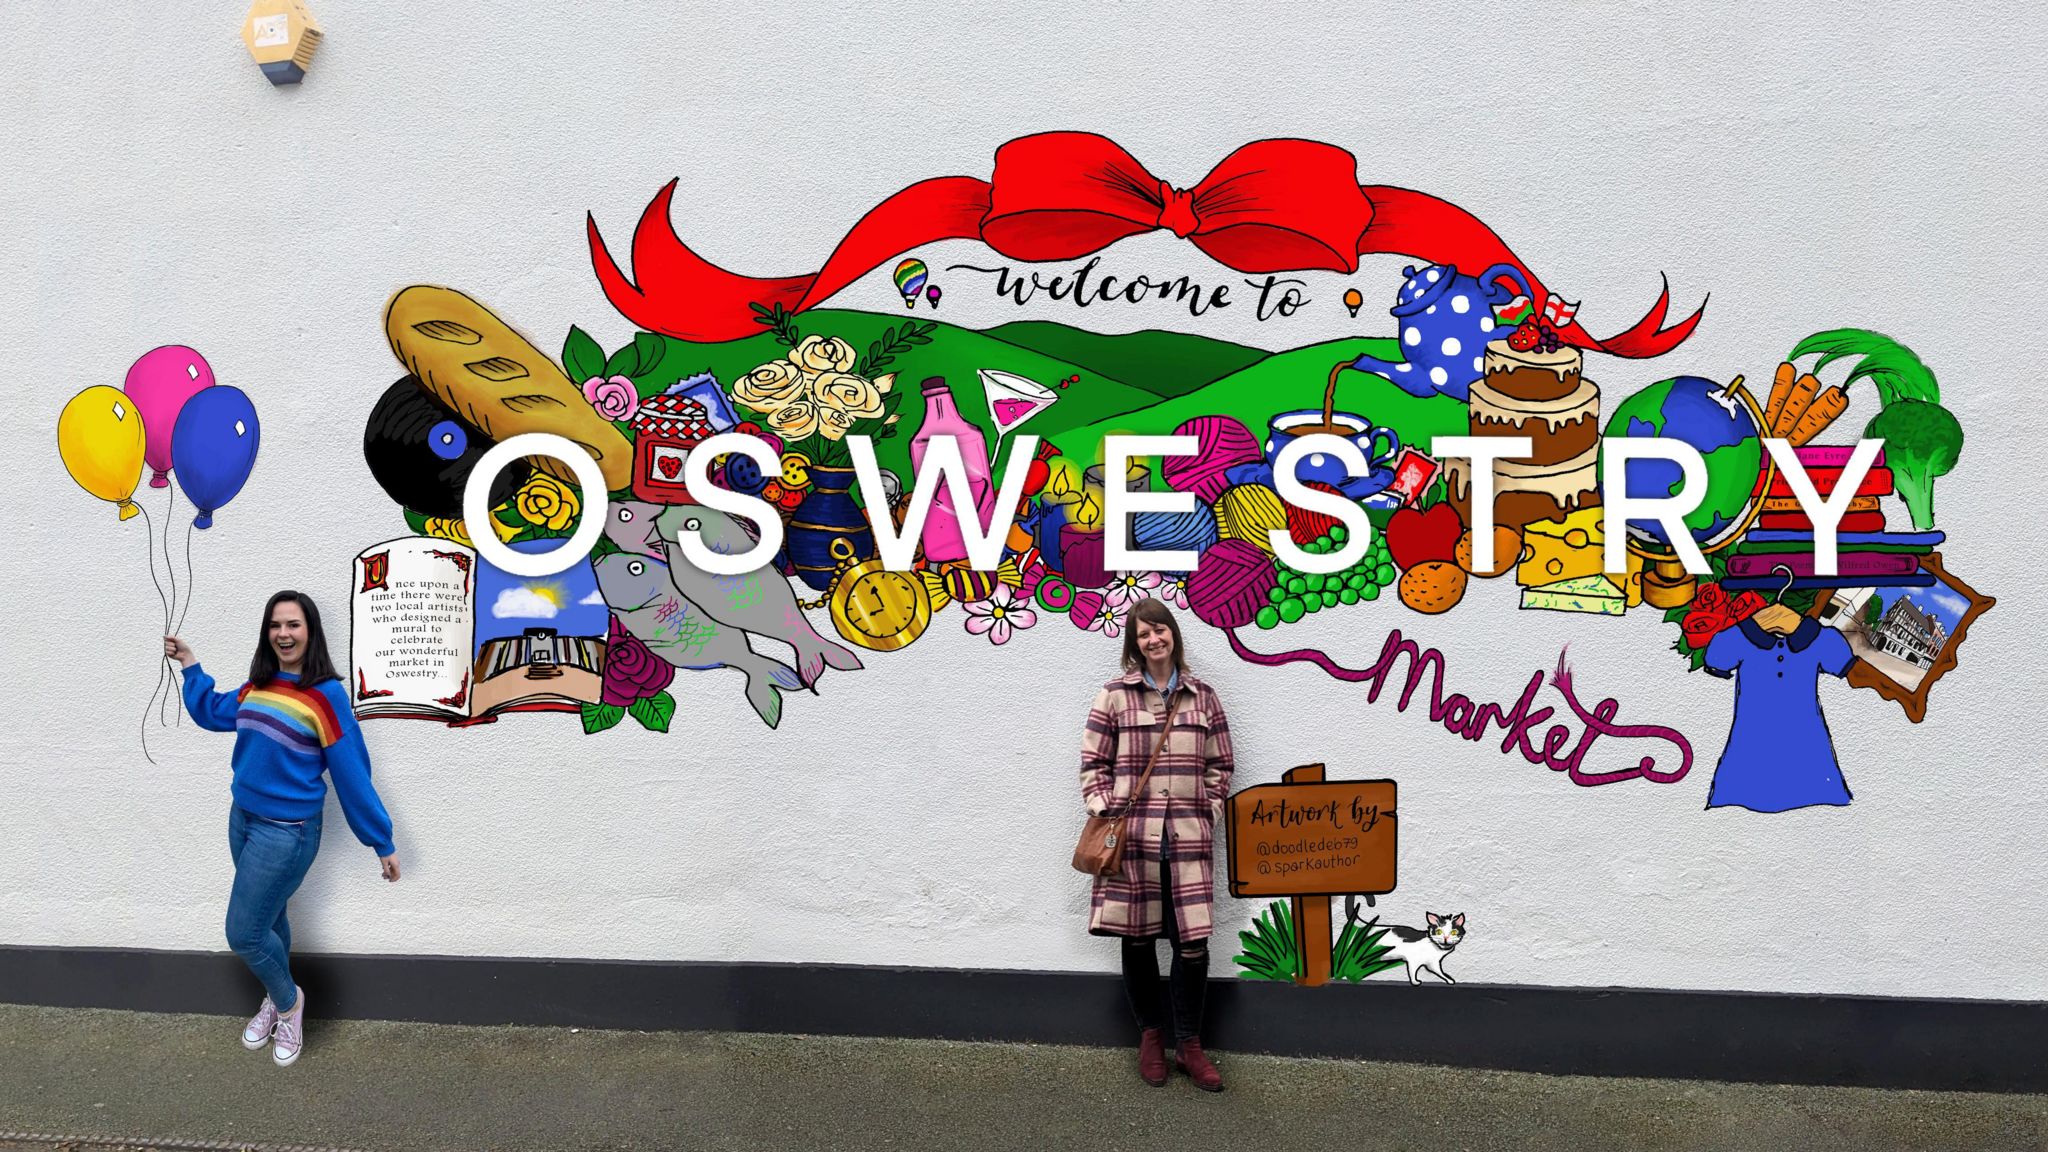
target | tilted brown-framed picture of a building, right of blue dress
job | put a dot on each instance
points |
(1904, 639)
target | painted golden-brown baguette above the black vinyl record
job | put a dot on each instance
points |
(505, 386)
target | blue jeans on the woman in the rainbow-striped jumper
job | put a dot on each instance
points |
(271, 860)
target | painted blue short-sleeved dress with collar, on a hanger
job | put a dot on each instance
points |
(1781, 753)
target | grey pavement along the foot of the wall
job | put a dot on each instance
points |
(433, 1087)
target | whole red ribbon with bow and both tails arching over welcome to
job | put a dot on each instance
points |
(1275, 206)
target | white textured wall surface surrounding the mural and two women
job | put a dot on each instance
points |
(1879, 171)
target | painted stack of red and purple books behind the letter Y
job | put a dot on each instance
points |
(1867, 557)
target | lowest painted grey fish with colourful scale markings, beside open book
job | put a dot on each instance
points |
(646, 602)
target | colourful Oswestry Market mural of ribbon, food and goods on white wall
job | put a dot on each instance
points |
(1461, 452)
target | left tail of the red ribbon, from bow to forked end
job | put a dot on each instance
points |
(685, 296)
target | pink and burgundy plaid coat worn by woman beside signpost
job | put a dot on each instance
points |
(1177, 813)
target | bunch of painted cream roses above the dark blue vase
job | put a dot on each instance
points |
(814, 399)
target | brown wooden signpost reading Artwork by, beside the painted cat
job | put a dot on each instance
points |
(1312, 839)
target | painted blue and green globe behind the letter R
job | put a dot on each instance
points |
(1721, 425)
